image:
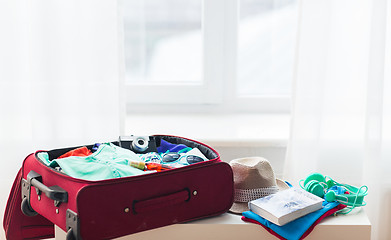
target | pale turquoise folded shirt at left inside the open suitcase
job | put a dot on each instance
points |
(108, 162)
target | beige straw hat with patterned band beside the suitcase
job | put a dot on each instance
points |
(253, 178)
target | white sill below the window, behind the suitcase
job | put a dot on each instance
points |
(224, 130)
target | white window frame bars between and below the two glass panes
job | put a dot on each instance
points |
(216, 92)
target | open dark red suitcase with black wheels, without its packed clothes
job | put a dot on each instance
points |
(42, 196)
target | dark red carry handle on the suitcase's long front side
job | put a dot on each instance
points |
(158, 203)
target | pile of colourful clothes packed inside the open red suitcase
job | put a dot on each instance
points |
(107, 161)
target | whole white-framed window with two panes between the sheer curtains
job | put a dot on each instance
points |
(221, 55)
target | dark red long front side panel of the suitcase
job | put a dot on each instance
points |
(210, 186)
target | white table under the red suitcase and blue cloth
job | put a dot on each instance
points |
(228, 226)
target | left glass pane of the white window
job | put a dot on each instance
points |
(163, 41)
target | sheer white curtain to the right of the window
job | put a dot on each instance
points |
(341, 124)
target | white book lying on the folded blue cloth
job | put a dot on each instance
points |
(286, 206)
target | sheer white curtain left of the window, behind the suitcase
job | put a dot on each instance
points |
(59, 78)
